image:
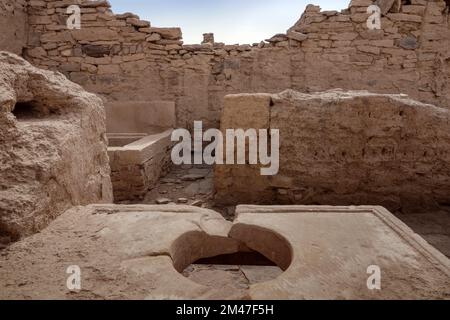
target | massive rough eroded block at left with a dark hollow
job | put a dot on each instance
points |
(53, 148)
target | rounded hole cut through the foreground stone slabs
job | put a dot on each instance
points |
(249, 256)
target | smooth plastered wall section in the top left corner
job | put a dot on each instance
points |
(13, 25)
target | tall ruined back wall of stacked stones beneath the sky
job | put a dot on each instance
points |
(120, 56)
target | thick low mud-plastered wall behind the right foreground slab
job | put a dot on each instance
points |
(342, 148)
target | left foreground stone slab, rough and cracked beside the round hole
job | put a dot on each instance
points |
(124, 253)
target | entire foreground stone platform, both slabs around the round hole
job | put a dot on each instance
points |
(139, 252)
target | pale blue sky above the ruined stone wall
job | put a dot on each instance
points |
(232, 21)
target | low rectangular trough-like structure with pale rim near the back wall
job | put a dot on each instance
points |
(139, 136)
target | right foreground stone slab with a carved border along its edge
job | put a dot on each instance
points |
(333, 248)
